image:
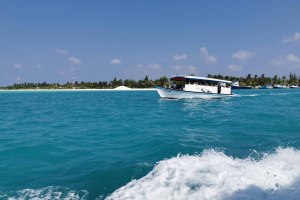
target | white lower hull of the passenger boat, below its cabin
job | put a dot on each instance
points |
(181, 94)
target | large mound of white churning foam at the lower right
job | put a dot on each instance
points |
(214, 175)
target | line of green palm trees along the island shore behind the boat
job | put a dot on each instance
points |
(249, 80)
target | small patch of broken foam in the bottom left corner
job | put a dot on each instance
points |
(50, 192)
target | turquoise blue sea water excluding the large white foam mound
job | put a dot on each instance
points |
(90, 143)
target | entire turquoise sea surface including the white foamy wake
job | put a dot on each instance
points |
(134, 145)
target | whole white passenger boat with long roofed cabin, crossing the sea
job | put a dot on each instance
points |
(195, 87)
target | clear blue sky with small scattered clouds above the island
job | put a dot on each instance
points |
(57, 40)
